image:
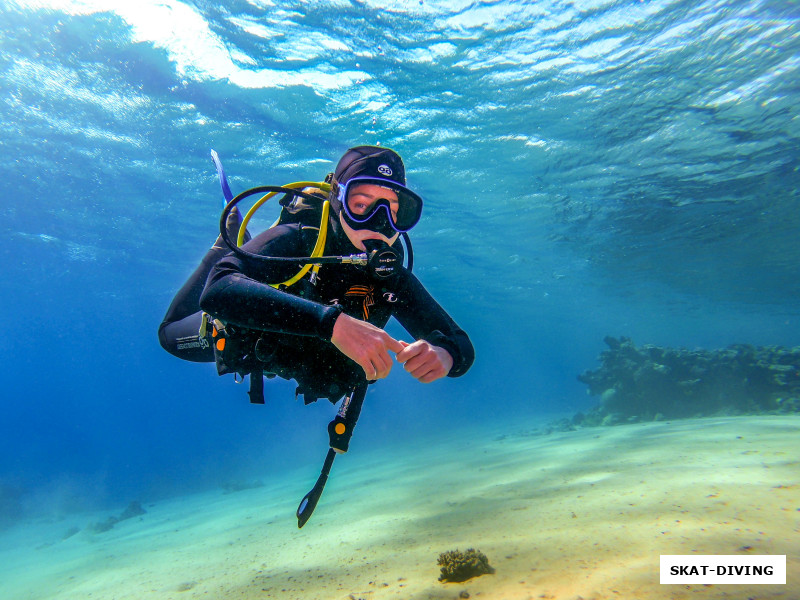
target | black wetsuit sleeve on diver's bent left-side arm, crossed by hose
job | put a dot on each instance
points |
(235, 293)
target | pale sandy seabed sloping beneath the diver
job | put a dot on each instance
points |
(583, 514)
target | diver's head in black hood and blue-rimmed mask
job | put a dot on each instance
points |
(369, 195)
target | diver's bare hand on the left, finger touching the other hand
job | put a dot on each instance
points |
(366, 344)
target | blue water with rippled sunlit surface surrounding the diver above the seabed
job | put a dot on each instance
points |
(590, 168)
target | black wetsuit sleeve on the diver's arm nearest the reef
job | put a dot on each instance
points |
(425, 319)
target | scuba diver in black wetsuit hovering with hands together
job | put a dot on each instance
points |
(308, 298)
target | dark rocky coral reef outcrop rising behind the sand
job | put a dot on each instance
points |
(645, 383)
